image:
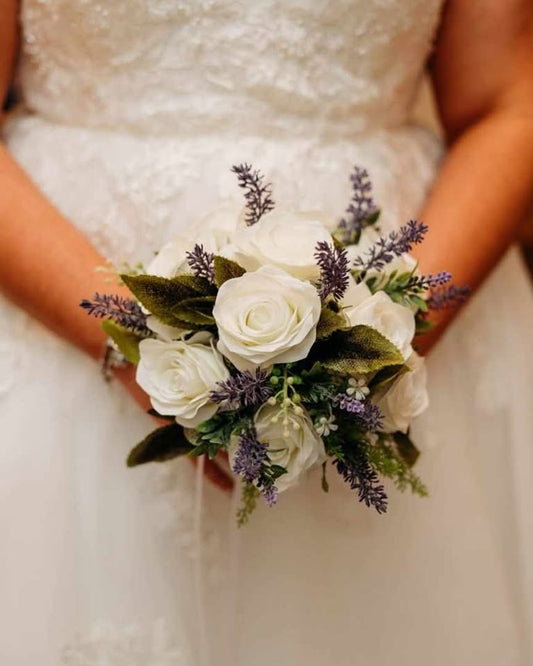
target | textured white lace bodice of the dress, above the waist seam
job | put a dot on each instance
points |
(201, 66)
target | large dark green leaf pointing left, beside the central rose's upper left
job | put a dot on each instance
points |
(184, 301)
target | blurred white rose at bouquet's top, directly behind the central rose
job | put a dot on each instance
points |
(284, 239)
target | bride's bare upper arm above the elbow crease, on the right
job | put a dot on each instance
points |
(483, 58)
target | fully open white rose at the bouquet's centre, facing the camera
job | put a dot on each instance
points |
(266, 317)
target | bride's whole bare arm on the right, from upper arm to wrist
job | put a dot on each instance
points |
(483, 79)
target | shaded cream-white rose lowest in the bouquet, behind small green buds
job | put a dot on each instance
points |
(295, 446)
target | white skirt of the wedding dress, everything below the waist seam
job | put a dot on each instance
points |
(103, 565)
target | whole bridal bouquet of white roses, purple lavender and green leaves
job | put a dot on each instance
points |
(286, 341)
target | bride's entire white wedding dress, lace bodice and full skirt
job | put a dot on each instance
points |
(133, 113)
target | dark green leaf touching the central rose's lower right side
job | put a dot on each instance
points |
(359, 350)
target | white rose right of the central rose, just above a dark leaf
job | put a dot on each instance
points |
(394, 321)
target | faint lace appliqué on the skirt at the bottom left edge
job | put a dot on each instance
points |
(106, 645)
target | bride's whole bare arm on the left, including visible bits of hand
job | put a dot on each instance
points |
(46, 265)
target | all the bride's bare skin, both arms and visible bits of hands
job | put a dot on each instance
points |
(482, 70)
